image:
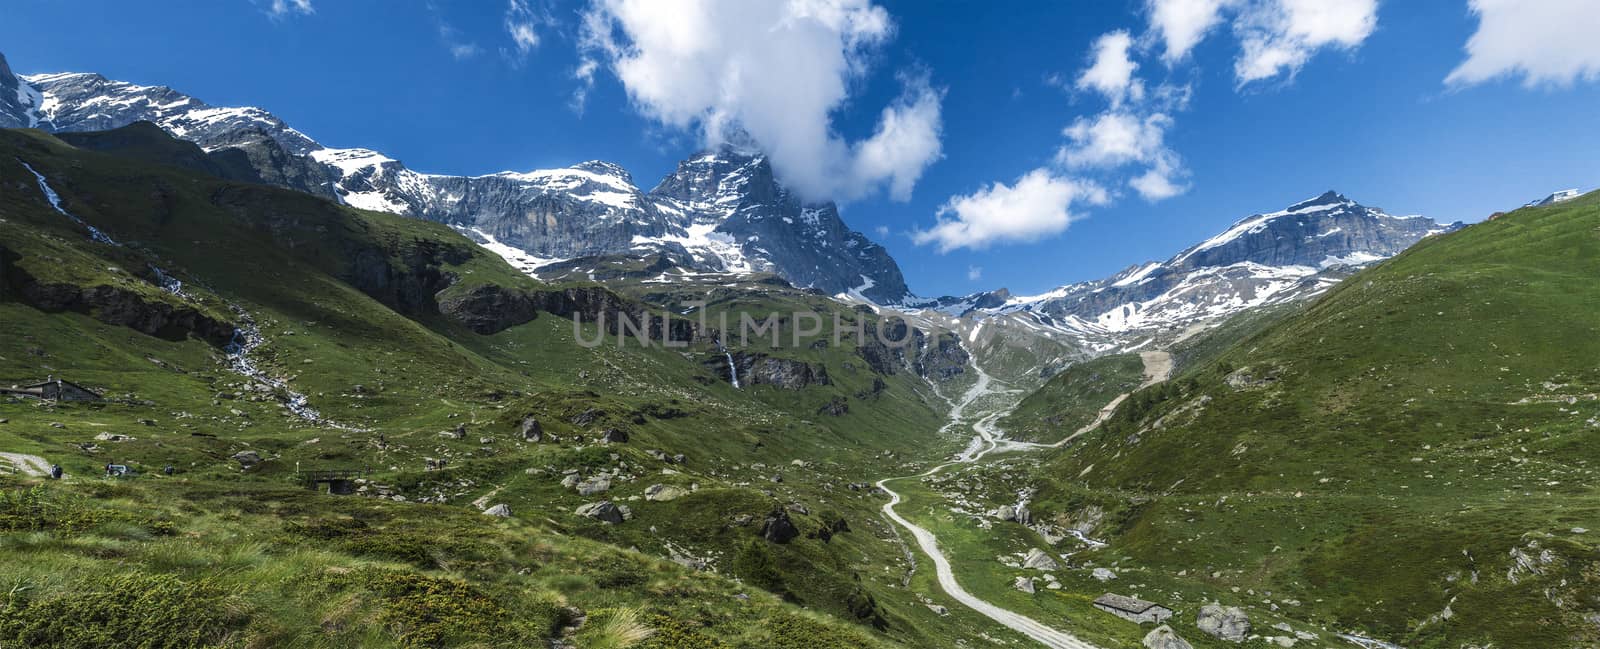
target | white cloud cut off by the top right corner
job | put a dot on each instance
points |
(1546, 42)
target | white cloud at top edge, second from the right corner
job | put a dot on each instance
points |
(1279, 36)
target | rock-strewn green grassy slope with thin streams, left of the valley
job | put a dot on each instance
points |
(354, 313)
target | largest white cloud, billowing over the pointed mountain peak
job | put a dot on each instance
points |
(775, 71)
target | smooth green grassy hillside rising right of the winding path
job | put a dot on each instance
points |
(1410, 458)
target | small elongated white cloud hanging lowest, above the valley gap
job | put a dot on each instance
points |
(1038, 205)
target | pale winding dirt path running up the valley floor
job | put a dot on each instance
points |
(1158, 368)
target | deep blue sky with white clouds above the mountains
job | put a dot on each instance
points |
(1380, 100)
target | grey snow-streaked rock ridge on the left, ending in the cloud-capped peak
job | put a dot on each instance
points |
(721, 210)
